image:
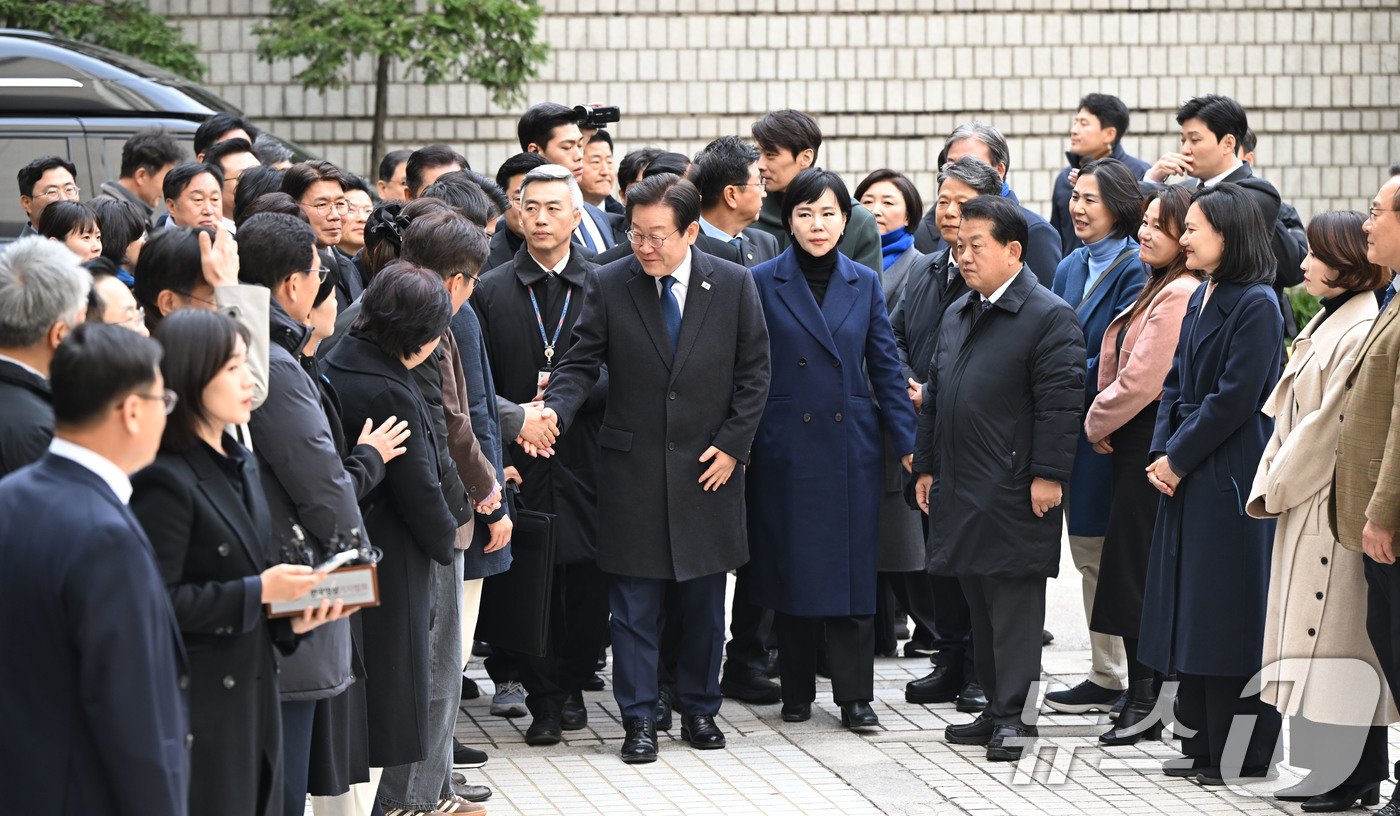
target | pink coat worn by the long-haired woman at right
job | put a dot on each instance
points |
(1130, 383)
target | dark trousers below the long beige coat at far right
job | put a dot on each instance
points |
(1339, 755)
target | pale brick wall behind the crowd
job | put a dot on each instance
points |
(1319, 78)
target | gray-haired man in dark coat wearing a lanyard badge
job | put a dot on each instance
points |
(527, 310)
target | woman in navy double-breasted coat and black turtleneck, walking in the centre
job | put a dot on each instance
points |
(814, 484)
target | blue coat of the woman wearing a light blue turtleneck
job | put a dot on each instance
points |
(1093, 479)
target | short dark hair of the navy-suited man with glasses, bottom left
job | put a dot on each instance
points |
(96, 367)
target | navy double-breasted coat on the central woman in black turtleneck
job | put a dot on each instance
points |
(817, 474)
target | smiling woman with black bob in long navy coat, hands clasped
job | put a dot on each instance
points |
(1203, 612)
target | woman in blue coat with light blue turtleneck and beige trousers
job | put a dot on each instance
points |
(1100, 281)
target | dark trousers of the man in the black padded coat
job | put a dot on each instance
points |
(1007, 618)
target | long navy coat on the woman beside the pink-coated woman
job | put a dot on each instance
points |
(1207, 586)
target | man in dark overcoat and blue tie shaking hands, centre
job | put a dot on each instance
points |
(687, 351)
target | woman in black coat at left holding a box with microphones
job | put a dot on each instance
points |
(202, 507)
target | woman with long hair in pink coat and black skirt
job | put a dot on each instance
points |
(1135, 359)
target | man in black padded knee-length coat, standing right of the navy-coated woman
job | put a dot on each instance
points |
(997, 439)
